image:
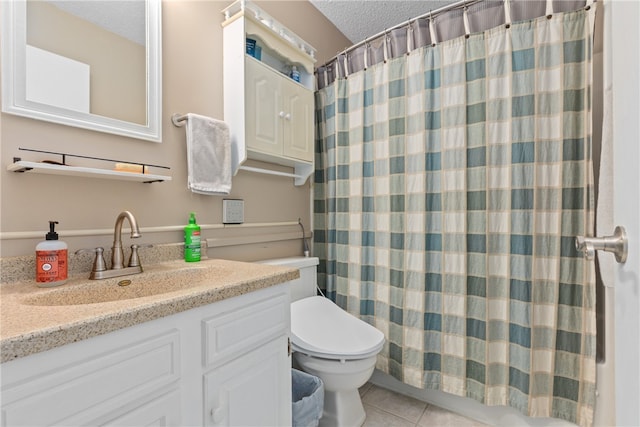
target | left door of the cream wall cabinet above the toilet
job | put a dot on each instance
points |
(263, 109)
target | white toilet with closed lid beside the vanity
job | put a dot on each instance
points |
(332, 344)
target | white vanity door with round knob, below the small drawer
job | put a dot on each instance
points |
(251, 390)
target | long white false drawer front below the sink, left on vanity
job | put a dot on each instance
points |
(92, 386)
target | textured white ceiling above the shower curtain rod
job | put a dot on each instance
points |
(359, 19)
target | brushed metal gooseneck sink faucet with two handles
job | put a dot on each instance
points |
(99, 270)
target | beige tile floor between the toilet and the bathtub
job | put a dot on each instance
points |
(386, 408)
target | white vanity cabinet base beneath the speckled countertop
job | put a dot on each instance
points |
(223, 364)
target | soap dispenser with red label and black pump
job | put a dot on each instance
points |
(51, 259)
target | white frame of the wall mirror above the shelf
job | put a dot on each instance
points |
(14, 42)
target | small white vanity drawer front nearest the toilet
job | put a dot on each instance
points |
(240, 329)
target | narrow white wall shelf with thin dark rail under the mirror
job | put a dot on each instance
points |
(52, 169)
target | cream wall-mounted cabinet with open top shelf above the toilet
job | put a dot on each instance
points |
(270, 116)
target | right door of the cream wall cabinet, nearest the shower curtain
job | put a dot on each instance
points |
(298, 125)
